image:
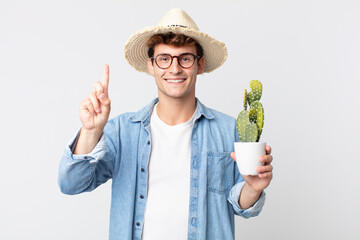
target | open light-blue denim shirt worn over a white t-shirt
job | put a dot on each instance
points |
(122, 154)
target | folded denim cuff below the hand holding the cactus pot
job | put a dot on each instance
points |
(234, 200)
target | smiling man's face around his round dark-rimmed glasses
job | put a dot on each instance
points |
(184, 87)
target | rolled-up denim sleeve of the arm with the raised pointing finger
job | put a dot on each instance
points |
(85, 172)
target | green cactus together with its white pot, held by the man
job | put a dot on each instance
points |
(249, 126)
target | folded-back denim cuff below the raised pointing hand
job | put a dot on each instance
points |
(94, 156)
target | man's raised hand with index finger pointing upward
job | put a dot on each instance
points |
(95, 108)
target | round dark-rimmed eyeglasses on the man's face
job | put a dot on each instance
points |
(185, 60)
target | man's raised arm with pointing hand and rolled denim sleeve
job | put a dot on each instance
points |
(89, 162)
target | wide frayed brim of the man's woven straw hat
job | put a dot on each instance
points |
(136, 50)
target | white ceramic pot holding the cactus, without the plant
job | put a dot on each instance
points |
(247, 156)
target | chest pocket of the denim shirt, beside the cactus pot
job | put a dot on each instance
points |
(220, 174)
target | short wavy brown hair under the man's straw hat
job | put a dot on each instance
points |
(174, 40)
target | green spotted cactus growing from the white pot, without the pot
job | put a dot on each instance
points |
(250, 123)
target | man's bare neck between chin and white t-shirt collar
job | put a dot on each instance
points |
(176, 111)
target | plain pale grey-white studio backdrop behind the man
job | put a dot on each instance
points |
(306, 54)
